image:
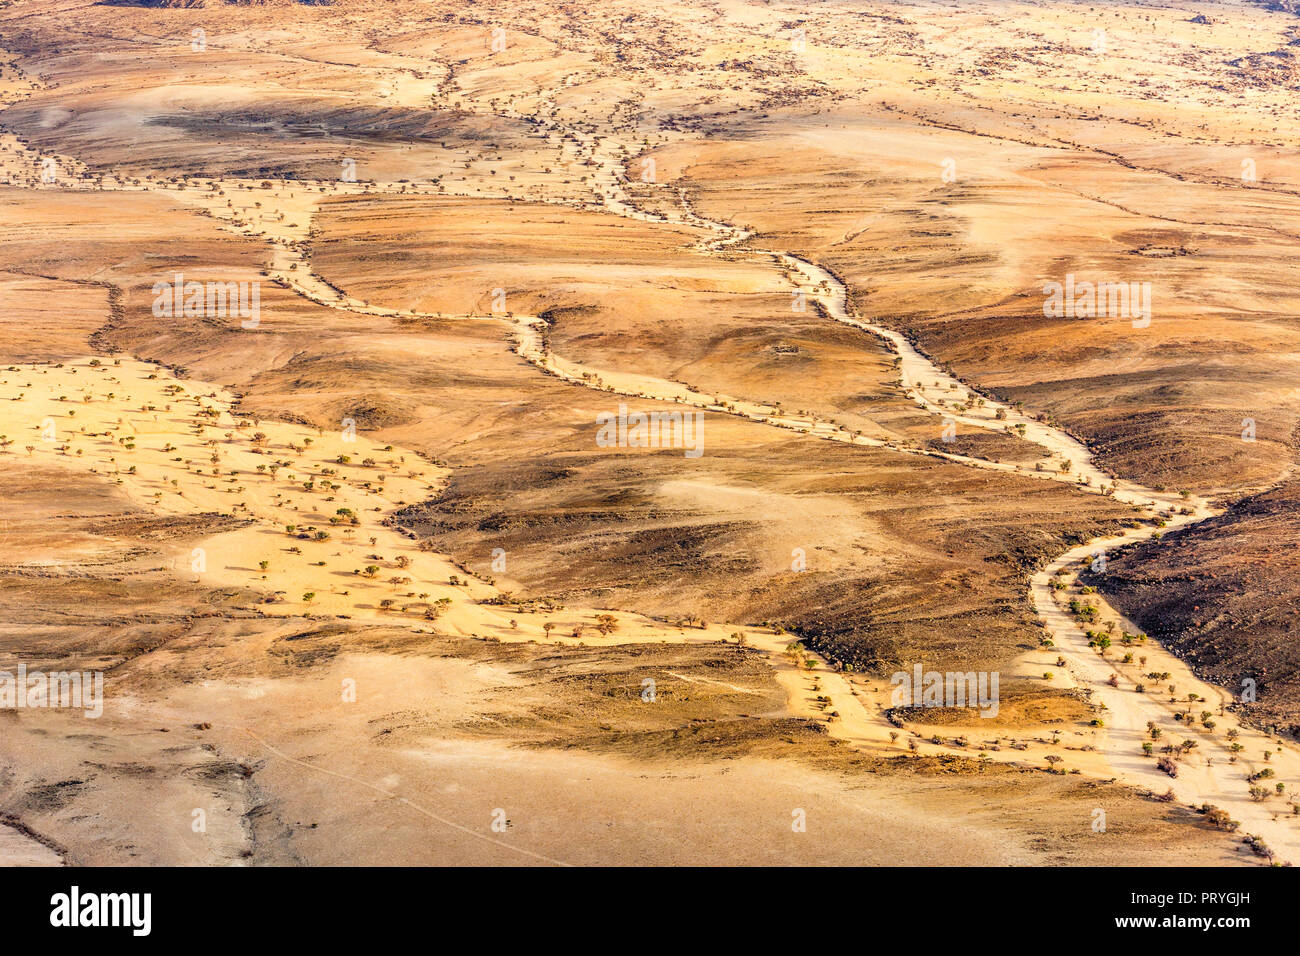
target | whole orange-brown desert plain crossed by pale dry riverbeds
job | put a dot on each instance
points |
(327, 330)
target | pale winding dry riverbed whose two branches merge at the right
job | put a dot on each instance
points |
(1215, 773)
